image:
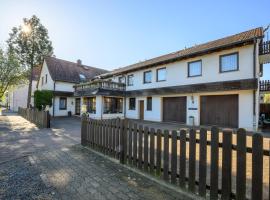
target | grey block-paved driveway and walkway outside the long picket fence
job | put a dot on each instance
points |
(51, 164)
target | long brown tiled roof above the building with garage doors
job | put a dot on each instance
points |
(209, 47)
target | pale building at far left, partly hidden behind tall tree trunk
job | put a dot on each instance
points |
(17, 95)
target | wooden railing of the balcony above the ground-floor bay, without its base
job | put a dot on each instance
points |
(103, 84)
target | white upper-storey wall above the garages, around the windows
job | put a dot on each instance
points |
(177, 73)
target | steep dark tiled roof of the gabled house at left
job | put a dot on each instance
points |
(66, 71)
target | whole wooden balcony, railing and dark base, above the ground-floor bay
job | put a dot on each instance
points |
(99, 87)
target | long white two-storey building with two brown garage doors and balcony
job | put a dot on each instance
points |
(215, 83)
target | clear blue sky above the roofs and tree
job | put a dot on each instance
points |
(112, 34)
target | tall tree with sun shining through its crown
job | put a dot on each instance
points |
(30, 42)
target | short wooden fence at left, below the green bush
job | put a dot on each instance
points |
(40, 118)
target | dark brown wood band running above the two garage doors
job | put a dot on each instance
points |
(244, 84)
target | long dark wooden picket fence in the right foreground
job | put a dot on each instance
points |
(200, 161)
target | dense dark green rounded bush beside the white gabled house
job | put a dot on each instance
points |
(43, 98)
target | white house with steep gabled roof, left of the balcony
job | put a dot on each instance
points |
(59, 76)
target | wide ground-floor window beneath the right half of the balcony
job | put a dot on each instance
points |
(112, 105)
